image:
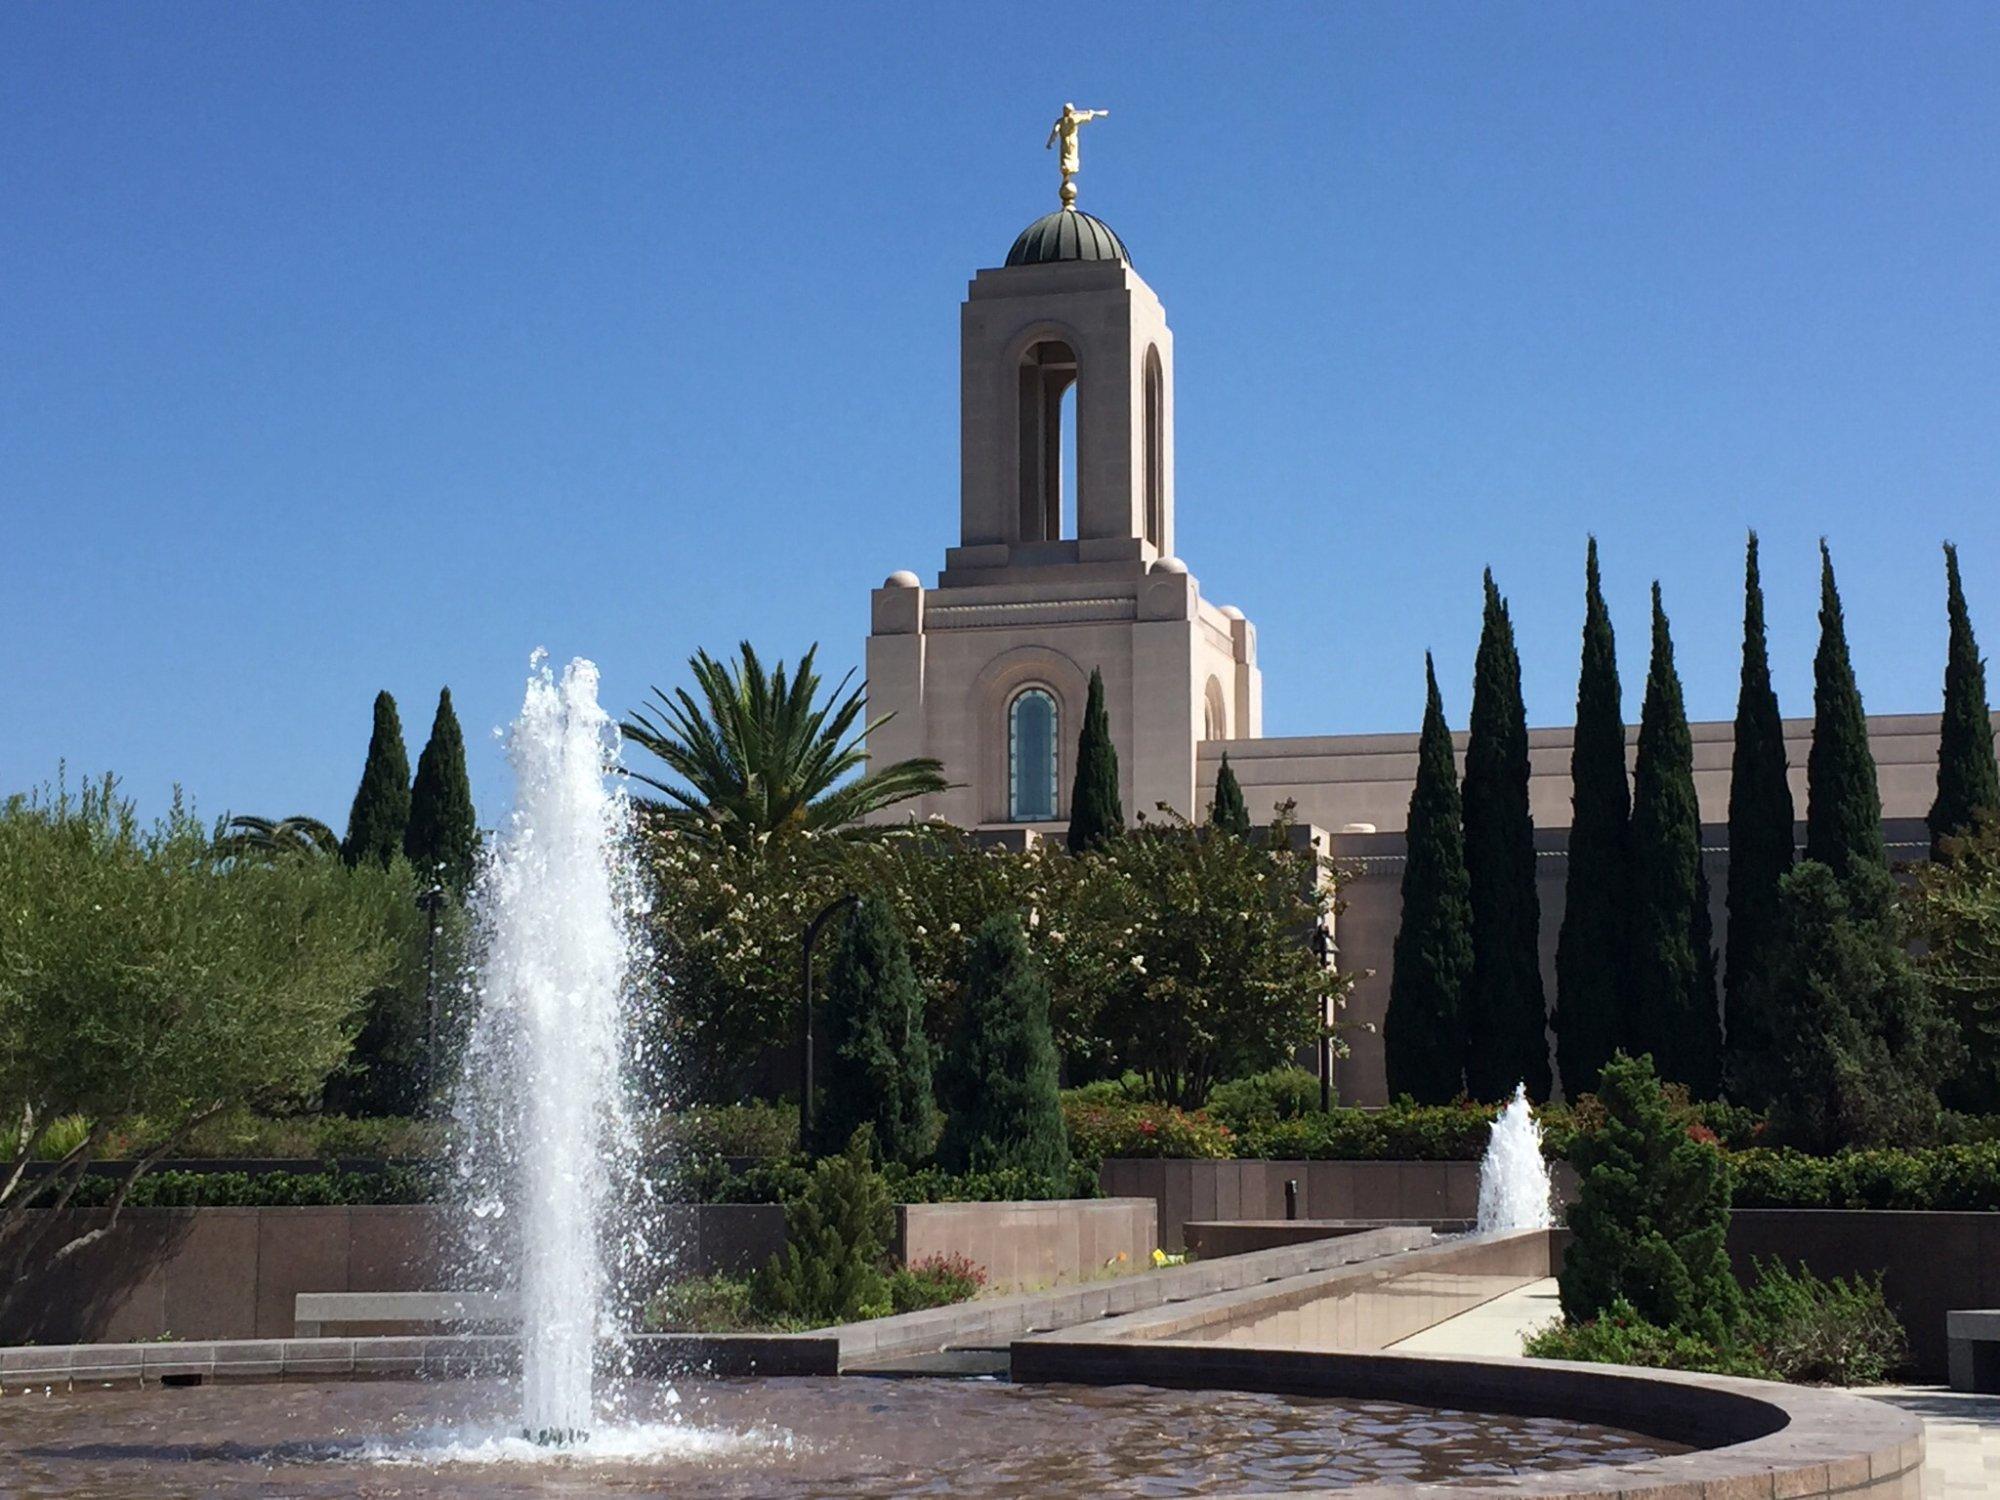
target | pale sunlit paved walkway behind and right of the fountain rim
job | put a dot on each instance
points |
(1961, 1433)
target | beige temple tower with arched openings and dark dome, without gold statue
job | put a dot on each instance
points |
(1065, 559)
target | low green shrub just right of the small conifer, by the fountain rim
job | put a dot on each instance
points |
(1823, 1333)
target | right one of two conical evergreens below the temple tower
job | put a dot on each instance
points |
(999, 1077)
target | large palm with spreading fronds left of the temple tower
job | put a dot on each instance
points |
(763, 757)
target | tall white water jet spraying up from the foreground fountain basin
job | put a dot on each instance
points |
(541, 1103)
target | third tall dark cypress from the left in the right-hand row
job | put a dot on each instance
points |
(1593, 953)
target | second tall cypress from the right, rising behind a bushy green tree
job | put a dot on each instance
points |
(1843, 803)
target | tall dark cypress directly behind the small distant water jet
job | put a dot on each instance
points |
(1507, 1019)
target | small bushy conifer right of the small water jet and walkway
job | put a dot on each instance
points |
(1651, 1217)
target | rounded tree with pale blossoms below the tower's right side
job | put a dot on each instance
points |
(1205, 943)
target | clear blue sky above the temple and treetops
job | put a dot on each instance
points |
(373, 347)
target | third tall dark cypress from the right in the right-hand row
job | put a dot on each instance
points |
(1761, 825)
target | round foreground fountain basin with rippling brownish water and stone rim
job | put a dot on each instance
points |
(345, 1417)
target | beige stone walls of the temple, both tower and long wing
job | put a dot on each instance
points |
(1049, 587)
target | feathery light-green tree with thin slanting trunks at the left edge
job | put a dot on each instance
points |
(155, 981)
